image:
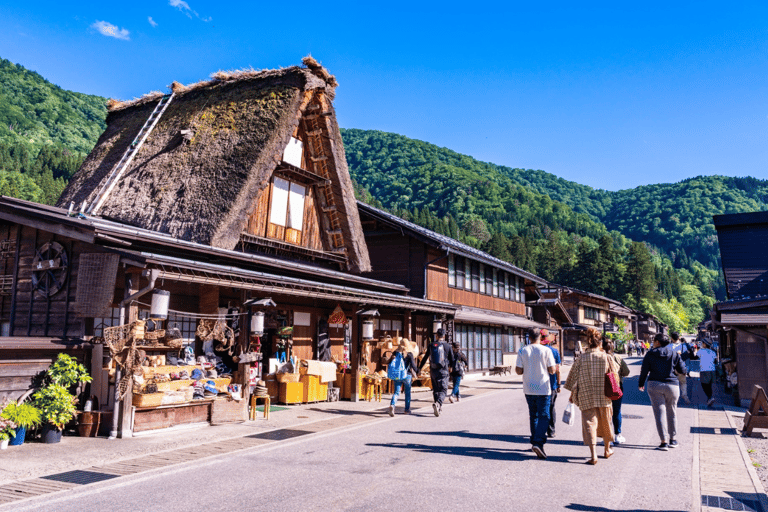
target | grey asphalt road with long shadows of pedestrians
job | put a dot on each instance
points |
(475, 456)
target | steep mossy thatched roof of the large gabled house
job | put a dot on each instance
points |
(204, 188)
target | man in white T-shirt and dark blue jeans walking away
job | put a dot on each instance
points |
(536, 362)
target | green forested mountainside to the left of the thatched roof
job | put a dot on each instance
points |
(45, 133)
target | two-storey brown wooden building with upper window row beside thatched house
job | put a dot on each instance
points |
(489, 295)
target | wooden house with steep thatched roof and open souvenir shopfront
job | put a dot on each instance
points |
(231, 195)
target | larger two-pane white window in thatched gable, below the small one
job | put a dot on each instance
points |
(286, 211)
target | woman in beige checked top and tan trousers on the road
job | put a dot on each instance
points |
(586, 382)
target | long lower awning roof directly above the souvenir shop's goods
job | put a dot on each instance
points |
(177, 269)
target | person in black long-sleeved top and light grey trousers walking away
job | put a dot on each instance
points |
(660, 368)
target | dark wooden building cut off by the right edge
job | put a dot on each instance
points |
(742, 320)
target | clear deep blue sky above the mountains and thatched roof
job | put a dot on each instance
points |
(608, 95)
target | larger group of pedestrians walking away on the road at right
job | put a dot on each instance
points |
(663, 373)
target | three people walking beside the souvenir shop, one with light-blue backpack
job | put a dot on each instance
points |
(446, 362)
